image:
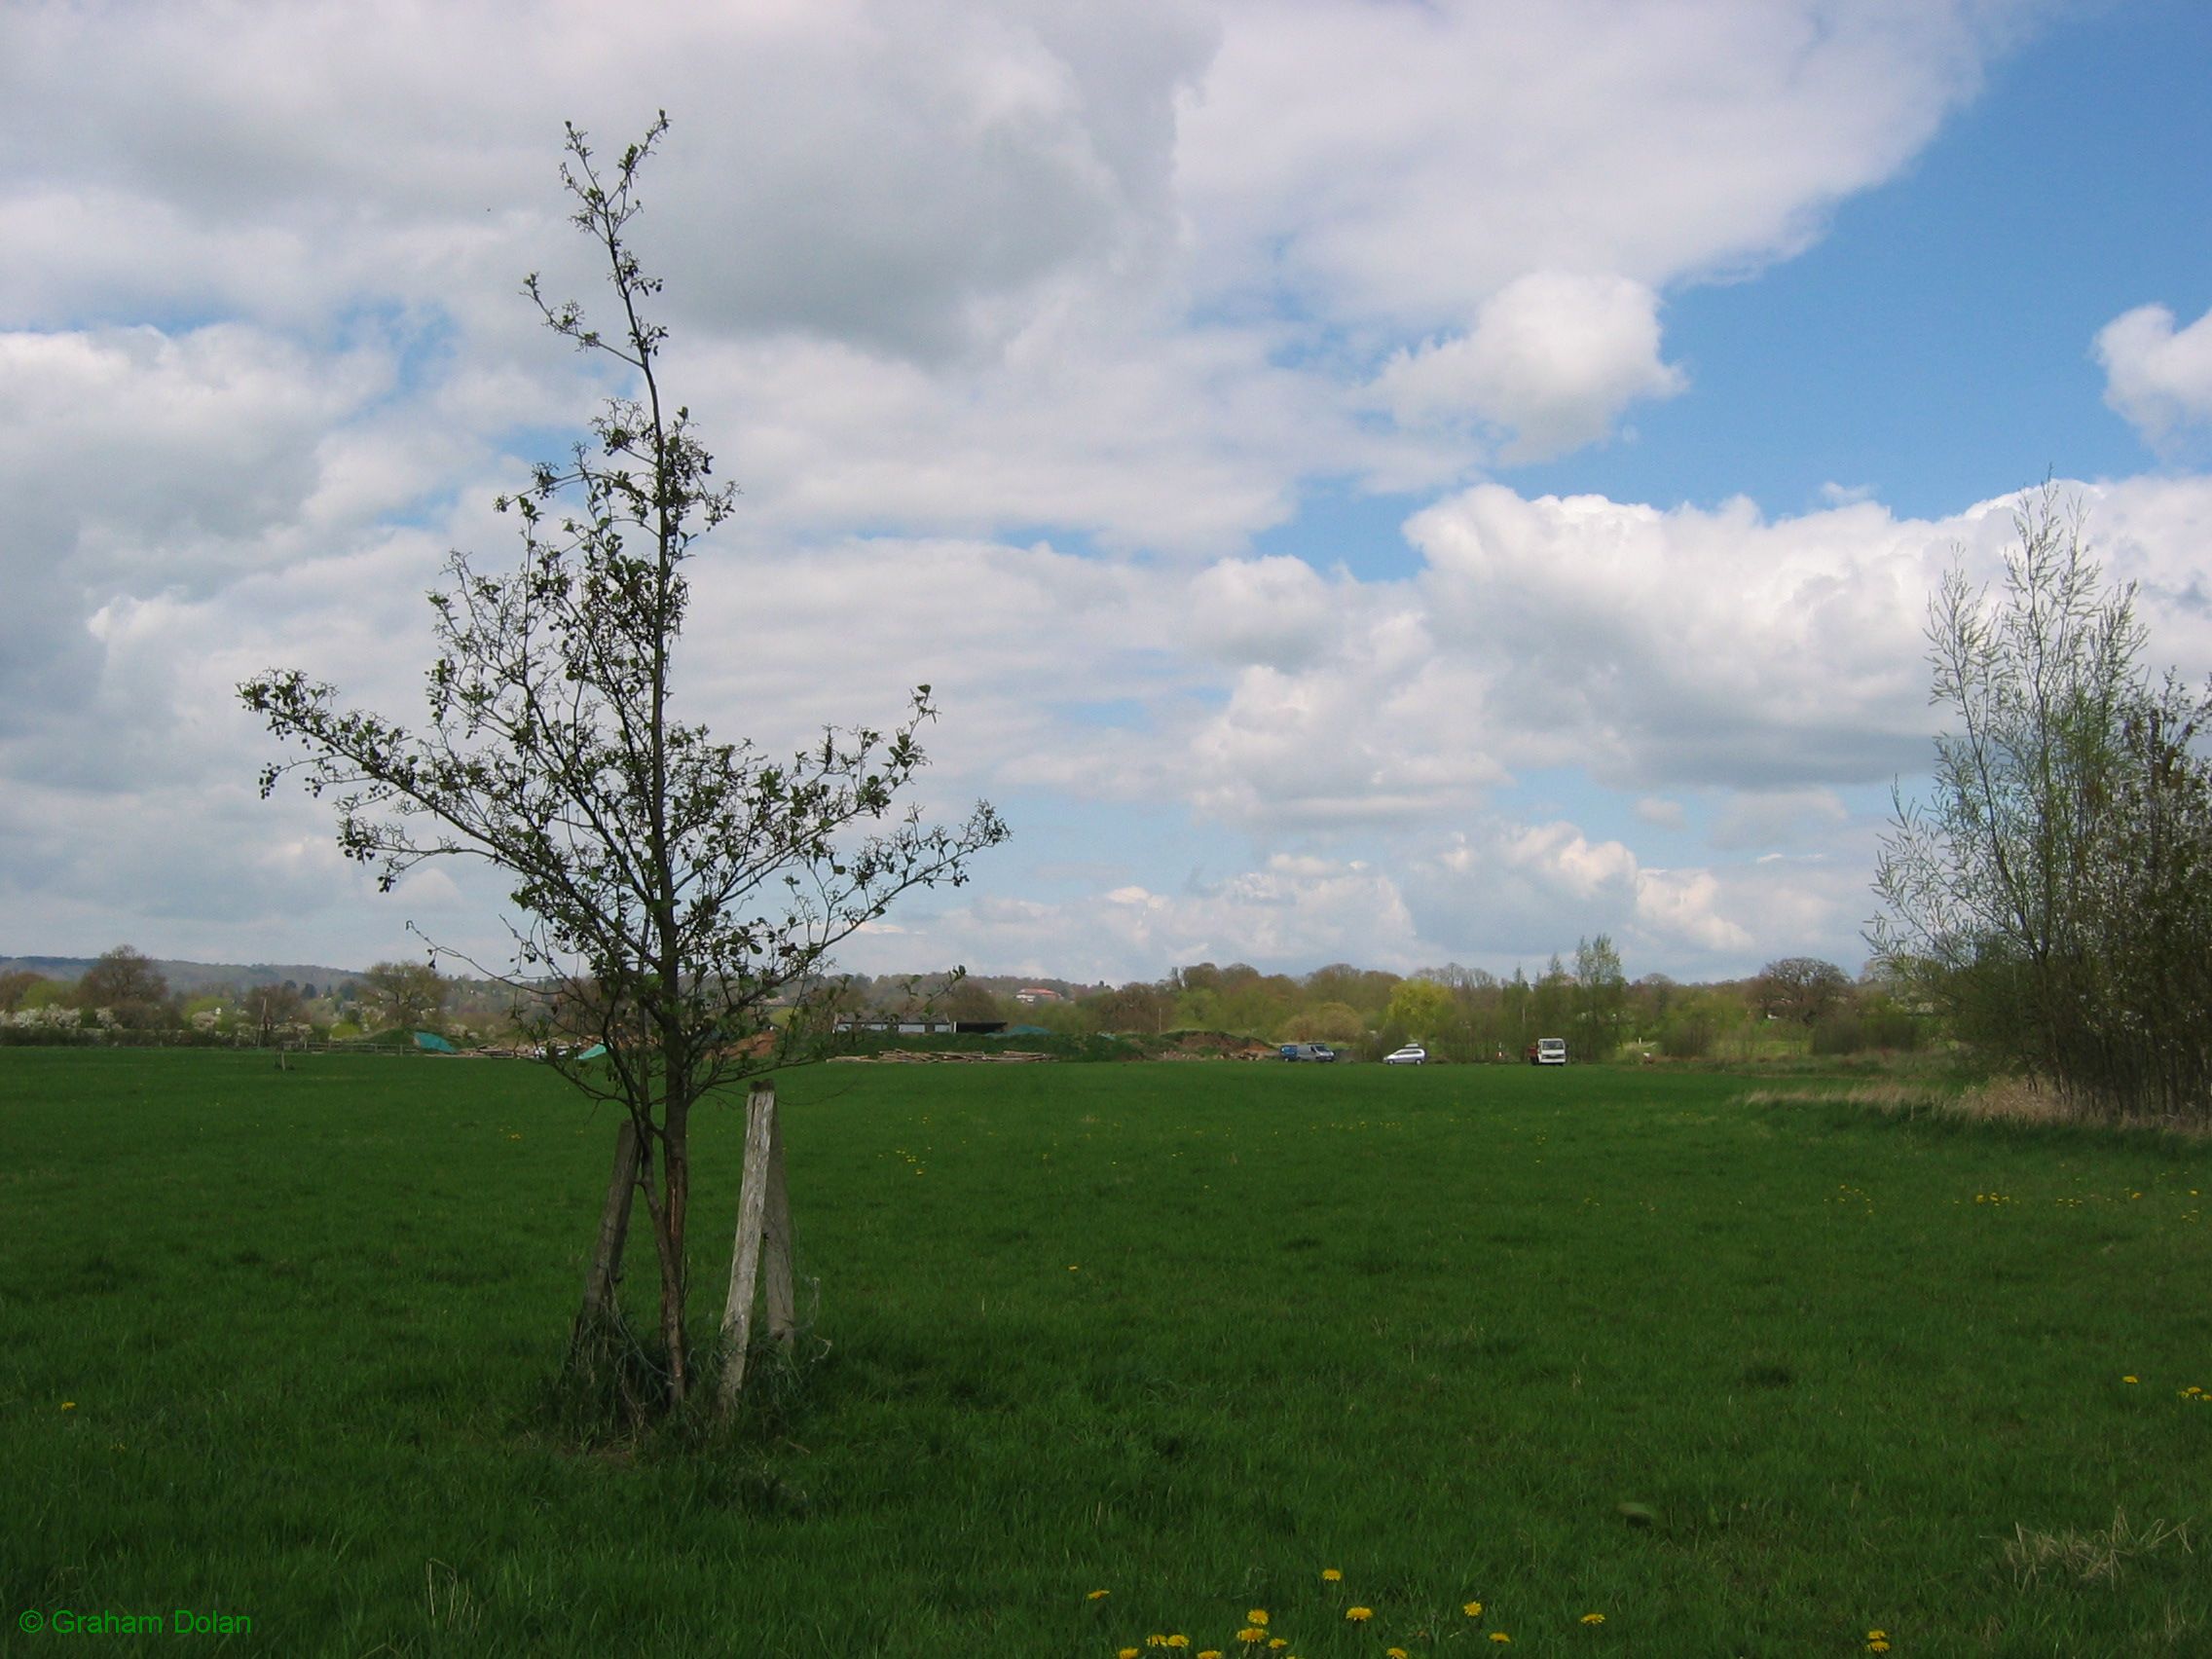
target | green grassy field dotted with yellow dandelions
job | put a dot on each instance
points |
(278, 1348)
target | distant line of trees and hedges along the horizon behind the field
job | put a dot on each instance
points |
(1461, 1014)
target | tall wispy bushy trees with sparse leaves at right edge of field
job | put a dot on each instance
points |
(2056, 888)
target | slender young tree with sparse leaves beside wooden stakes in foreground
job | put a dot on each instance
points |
(669, 890)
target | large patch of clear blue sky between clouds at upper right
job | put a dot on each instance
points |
(1937, 342)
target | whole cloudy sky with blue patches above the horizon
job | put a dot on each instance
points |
(1368, 483)
